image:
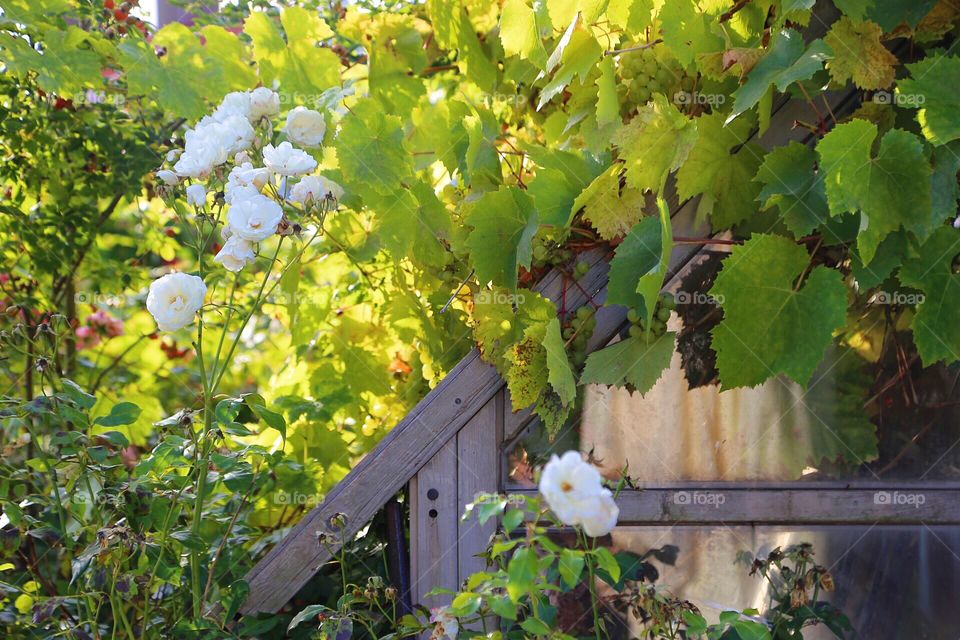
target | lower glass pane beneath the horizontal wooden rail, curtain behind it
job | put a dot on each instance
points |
(890, 582)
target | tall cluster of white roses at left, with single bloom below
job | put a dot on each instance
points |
(234, 135)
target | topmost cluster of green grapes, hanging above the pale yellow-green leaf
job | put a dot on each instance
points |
(649, 71)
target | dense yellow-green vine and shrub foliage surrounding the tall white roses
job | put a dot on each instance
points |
(478, 145)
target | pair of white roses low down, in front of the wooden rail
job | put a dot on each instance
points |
(575, 493)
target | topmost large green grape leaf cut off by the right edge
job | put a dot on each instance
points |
(935, 95)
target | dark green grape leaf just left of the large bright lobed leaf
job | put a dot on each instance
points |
(792, 185)
